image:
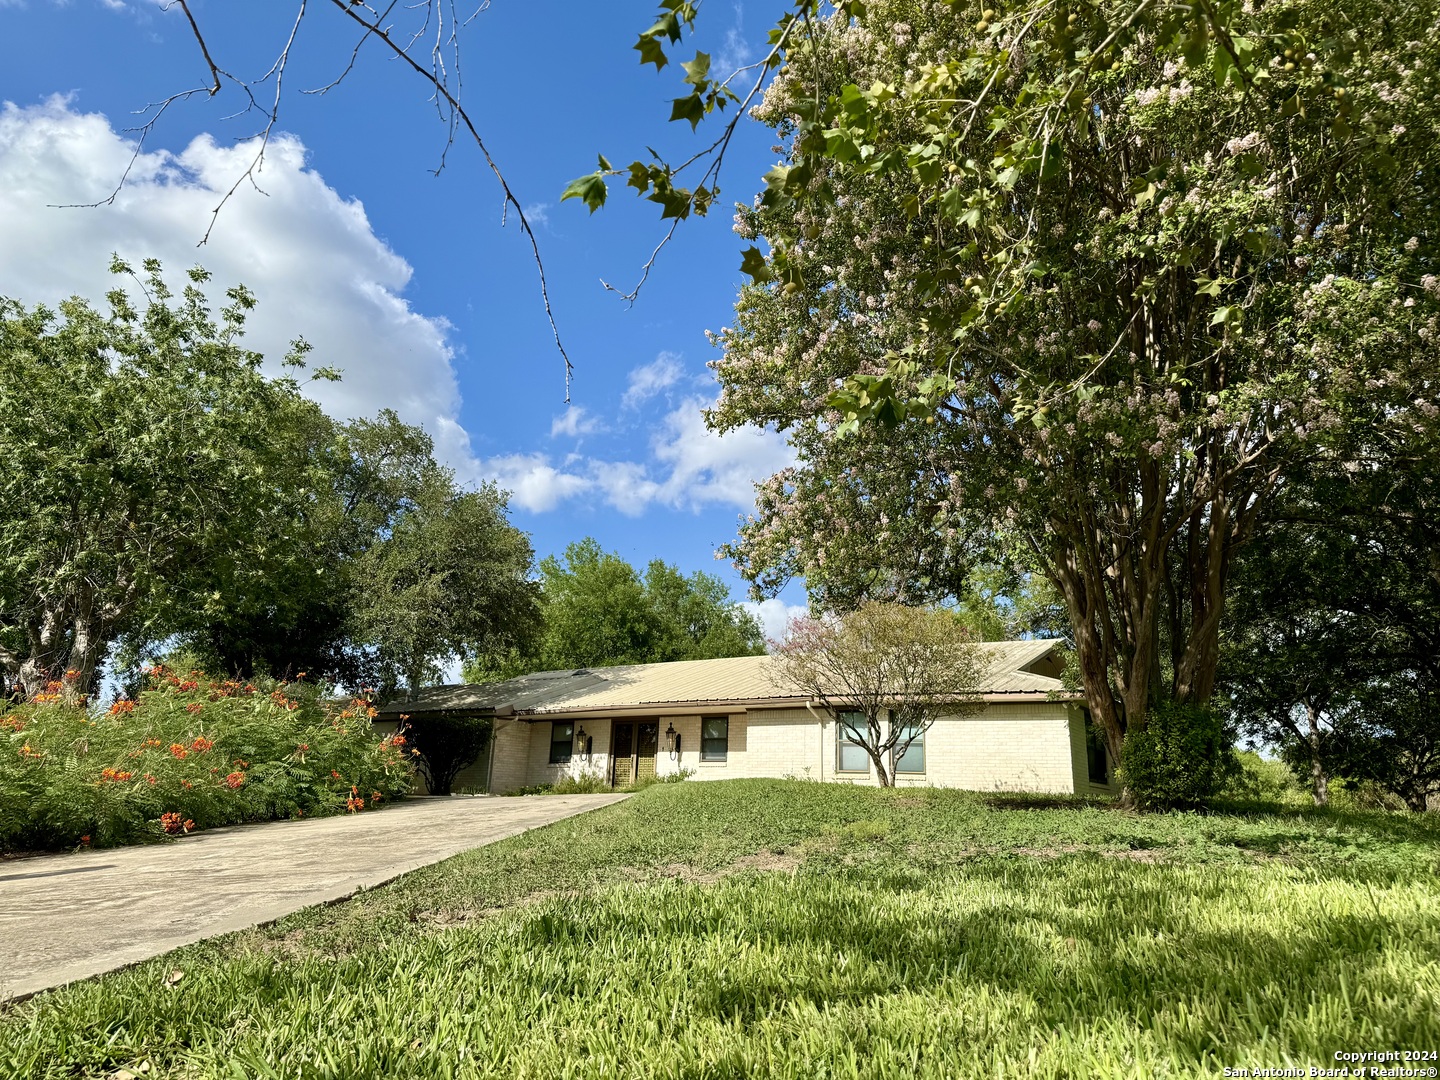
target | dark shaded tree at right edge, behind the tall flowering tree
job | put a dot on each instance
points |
(1333, 646)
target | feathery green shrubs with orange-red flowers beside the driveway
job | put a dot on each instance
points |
(188, 754)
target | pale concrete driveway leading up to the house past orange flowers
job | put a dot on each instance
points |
(67, 918)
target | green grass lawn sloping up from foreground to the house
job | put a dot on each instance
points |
(788, 930)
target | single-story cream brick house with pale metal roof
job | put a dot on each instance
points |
(734, 718)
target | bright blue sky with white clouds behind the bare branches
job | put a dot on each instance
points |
(402, 279)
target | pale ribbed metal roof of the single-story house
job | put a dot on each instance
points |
(1017, 669)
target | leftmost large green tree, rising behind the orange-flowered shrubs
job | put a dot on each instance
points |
(139, 449)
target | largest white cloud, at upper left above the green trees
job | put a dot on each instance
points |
(309, 254)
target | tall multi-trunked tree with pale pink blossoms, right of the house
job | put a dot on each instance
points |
(1091, 286)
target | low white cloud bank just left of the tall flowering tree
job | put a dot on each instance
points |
(692, 469)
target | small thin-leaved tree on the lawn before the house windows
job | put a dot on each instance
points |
(915, 663)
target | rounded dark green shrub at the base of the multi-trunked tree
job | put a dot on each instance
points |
(1183, 758)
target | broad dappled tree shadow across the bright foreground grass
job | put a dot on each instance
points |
(1148, 954)
